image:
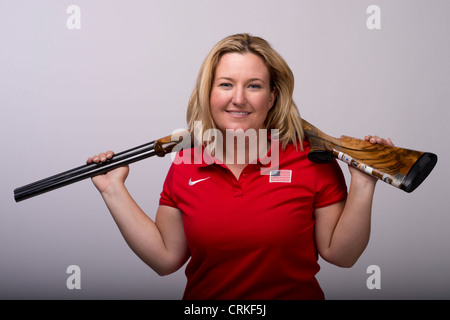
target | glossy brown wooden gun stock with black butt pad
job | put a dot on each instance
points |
(402, 168)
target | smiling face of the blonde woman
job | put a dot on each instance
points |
(241, 94)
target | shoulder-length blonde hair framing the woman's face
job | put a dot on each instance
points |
(284, 114)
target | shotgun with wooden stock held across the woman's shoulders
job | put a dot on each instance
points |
(402, 168)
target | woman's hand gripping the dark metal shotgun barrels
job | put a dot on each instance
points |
(104, 181)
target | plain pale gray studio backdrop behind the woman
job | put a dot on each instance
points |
(79, 77)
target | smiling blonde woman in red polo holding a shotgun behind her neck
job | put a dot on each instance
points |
(248, 235)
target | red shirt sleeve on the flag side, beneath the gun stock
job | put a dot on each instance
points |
(331, 186)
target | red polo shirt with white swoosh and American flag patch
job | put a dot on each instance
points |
(253, 237)
